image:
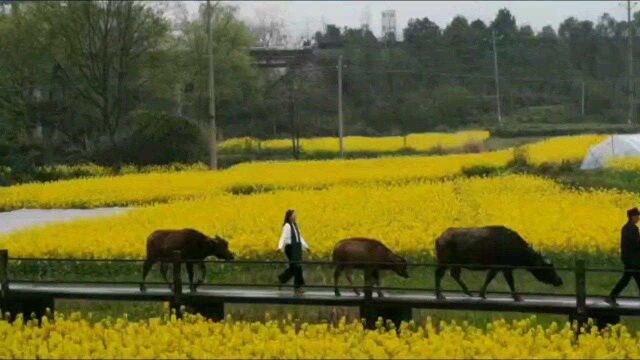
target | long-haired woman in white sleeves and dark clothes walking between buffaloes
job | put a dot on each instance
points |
(292, 243)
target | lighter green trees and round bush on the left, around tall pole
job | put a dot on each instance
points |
(116, 81)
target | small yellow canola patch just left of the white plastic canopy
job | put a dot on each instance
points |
(563, 149)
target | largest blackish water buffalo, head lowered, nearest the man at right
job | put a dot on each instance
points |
(484, 248)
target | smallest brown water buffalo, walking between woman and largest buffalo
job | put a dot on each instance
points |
(369, 255)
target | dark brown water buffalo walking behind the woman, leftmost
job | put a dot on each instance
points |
(194, 247)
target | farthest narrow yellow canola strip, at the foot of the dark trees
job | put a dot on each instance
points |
(360, 144)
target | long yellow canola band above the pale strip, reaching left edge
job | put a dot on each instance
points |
(137, 189)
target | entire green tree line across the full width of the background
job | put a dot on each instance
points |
(121, 81)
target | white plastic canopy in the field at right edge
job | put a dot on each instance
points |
(616, 146)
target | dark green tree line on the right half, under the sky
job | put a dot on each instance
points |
(444, 77)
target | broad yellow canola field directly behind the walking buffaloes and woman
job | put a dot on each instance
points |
(406, 217)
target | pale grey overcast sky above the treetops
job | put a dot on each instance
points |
(304, 17)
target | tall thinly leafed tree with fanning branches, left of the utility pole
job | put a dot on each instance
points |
(102, 48)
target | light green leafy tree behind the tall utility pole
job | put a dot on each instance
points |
(238, 82)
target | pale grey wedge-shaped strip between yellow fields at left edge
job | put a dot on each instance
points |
(21, 219)
